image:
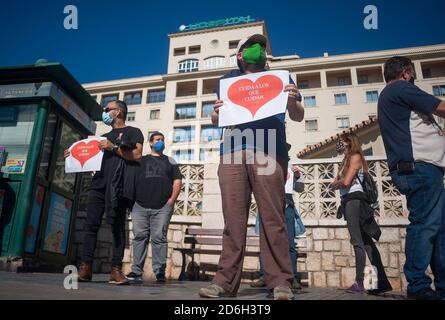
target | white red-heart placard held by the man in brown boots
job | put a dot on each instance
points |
(85, 156)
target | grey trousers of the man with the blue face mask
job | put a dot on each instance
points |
(150, 223)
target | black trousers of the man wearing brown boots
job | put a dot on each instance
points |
(95, 211)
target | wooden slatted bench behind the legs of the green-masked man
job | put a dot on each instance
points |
(195, 238)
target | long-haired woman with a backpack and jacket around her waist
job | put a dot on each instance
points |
(358, 213)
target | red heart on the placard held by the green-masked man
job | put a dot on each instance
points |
(254, 95)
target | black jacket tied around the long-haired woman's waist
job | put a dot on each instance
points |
(367, 220)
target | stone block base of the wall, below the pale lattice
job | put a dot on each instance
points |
(330, 258)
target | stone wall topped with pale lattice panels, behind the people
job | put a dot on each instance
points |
(330, 258)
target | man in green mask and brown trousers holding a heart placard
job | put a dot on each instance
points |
(254, 159)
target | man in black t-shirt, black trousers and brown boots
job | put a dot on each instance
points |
(123, 143)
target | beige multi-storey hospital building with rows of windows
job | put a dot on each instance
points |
(339, 91)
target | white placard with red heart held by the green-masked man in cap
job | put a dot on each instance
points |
(252, 97)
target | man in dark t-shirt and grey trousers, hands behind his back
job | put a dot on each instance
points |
(158, 184)
